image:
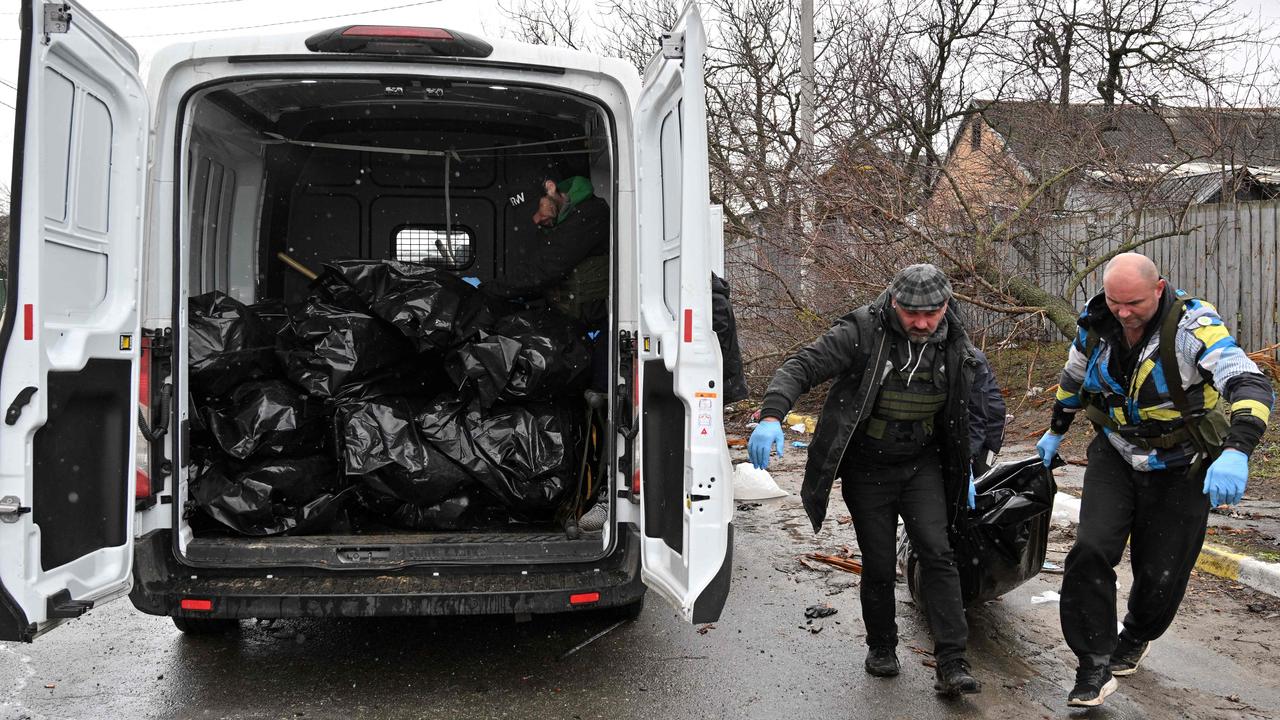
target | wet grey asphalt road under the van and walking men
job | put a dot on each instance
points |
(761, 660)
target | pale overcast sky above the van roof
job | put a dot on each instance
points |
(150, 25)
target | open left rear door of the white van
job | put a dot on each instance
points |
(68, 371)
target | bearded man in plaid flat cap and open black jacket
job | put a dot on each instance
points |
(895, 430)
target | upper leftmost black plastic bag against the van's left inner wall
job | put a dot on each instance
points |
(227, 345)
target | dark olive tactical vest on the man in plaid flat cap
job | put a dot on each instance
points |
(902, 422)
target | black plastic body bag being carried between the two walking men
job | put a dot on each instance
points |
(1008, 535)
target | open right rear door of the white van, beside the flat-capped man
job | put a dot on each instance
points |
(685, 477)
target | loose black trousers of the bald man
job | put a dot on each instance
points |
(1163, 514)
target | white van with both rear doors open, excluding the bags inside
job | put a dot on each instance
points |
(129, 199)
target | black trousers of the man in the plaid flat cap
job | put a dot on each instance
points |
(876, 496)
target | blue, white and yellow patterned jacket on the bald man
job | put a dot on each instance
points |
(1140, 411)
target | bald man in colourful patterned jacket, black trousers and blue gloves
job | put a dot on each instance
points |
(1178, 409)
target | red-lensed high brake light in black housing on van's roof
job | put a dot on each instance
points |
(395, 40)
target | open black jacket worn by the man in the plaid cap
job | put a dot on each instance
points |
(856, 343)
